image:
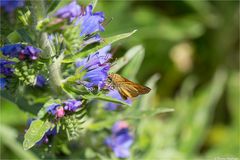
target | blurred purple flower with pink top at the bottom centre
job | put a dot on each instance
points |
(121, 140)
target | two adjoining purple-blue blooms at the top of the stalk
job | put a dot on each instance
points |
(90, 22)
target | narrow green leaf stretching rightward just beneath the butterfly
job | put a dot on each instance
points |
(105, 98)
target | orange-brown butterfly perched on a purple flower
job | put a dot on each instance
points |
(127, 88)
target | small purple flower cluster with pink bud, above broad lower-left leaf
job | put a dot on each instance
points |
(59, 110)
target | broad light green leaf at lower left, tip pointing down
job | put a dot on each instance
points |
(35, 133)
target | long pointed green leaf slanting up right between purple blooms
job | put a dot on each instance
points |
(105, 42)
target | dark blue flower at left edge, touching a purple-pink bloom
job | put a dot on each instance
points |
(12, 50)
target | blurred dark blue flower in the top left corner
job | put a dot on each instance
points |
(10, 5)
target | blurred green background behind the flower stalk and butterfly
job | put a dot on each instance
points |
(194, 47)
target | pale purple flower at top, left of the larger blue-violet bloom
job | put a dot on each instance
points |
(70, 11)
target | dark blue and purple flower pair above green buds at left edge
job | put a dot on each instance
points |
(20, 51)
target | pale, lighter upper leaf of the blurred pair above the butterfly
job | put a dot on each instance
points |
(131, 53)
